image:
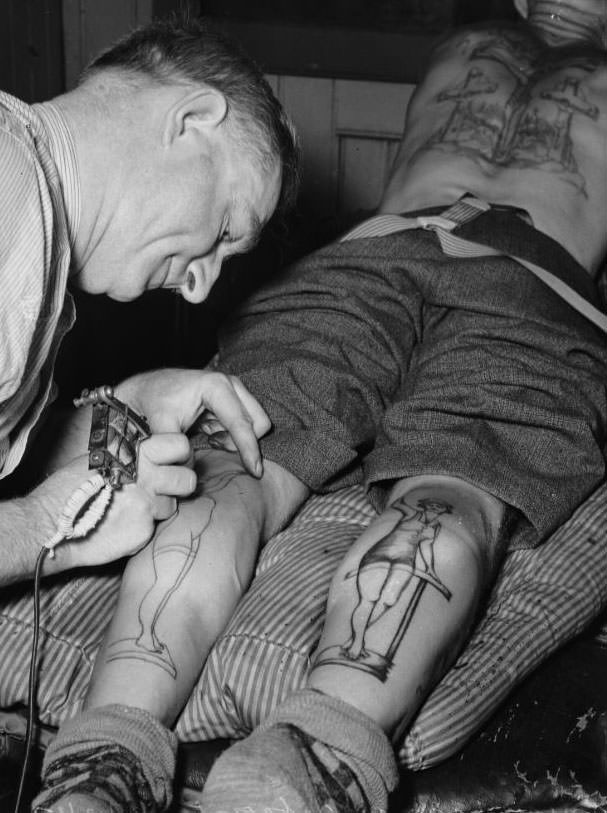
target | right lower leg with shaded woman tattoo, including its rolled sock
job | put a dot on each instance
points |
(400, 607)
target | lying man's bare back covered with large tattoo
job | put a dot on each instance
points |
(501, 115)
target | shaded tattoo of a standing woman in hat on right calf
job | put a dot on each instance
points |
(390, 580)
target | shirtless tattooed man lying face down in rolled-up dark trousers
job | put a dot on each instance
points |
(468, 390)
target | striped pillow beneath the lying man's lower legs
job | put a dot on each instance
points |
(543, 598)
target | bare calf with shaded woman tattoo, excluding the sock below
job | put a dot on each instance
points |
(438, 545)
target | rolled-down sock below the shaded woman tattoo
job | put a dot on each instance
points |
(314, 753)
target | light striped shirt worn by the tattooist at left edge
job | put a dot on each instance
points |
(39, 206)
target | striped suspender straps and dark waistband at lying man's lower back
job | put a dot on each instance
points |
(472, 228)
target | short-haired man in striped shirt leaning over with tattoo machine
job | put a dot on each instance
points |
(170, 155)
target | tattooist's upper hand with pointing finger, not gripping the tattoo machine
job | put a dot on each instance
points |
(173, 400)
